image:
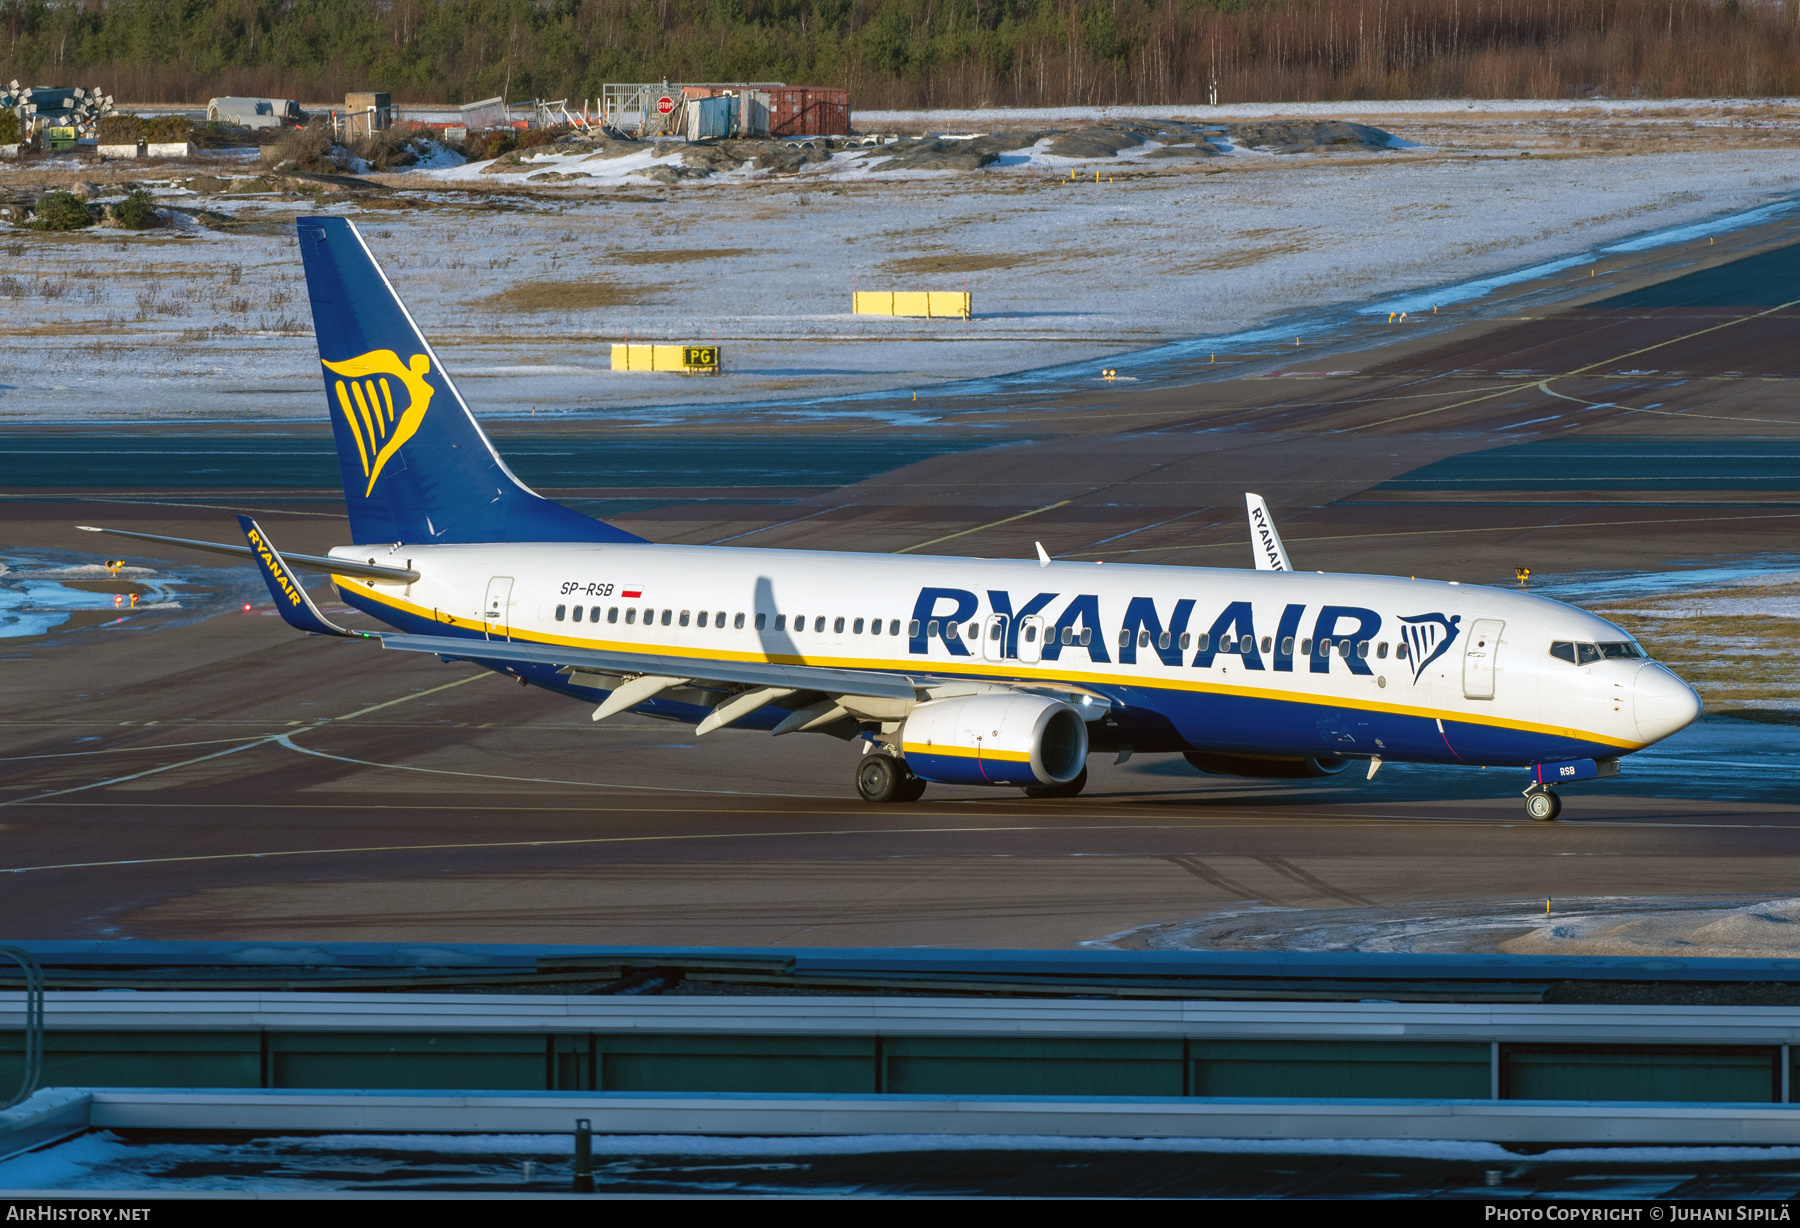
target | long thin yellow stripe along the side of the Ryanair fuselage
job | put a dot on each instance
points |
(1016, 673)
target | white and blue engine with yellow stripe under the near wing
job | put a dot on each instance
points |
(996, 741)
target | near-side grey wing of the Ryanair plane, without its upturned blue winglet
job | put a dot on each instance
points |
(796, 678)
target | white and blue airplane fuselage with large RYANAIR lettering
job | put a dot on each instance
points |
(1182, 658)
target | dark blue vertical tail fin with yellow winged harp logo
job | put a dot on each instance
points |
(417, 467)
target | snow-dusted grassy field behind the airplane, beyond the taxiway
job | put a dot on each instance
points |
(526, 284)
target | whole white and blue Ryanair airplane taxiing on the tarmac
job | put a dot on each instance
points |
(953, 671)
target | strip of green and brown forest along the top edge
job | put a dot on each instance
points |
(913, 53)
